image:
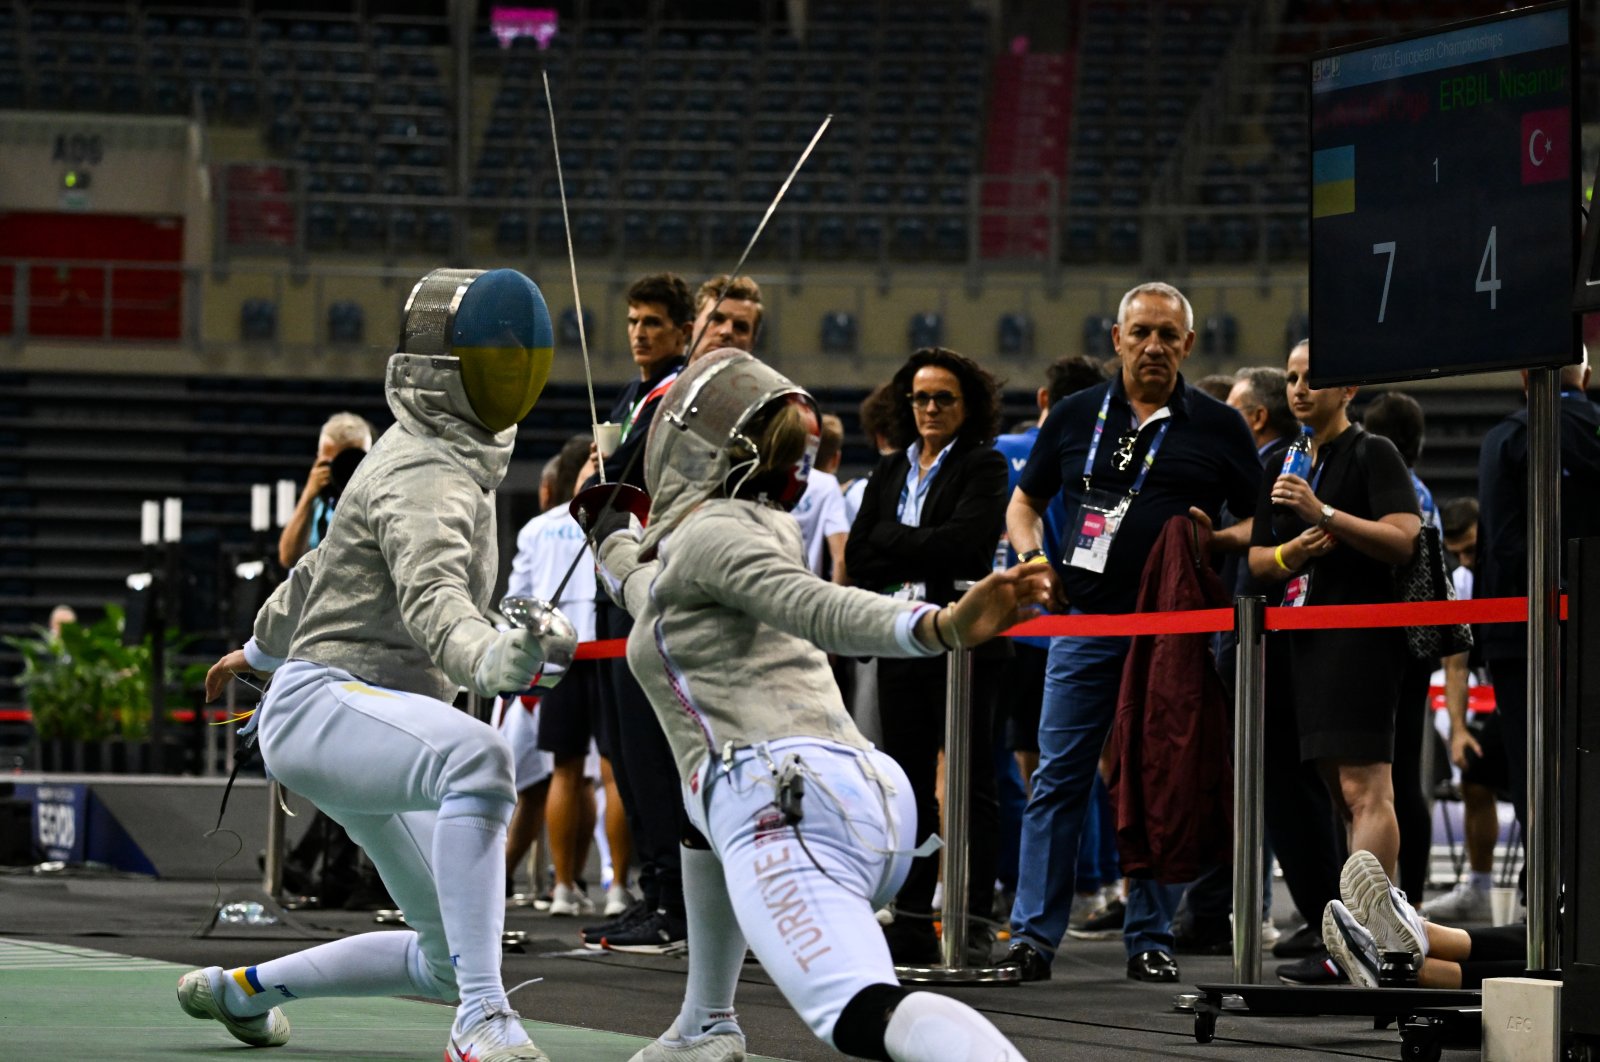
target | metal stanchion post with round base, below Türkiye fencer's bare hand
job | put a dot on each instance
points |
(958, 770)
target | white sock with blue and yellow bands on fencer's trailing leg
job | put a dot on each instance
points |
(370, 964)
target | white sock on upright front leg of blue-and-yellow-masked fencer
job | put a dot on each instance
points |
(470, 869)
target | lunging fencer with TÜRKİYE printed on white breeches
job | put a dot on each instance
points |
(804, 826)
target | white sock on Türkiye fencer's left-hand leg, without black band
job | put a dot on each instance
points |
(716, 949)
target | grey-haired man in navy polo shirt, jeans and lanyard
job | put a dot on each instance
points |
(1124, 457)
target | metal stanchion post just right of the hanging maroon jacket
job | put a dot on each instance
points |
(1249, 713)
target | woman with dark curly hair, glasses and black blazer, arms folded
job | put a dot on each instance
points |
(932, 516)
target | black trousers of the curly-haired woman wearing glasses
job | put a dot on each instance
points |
(911, 703)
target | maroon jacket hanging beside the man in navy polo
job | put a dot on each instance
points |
(1170, 741)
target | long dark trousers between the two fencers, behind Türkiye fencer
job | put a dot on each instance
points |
(646, 772)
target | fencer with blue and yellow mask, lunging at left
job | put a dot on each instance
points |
(369, 642)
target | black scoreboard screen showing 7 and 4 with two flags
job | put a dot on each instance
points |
(1444, 202)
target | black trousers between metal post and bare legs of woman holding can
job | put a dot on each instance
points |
(1297, 808)
